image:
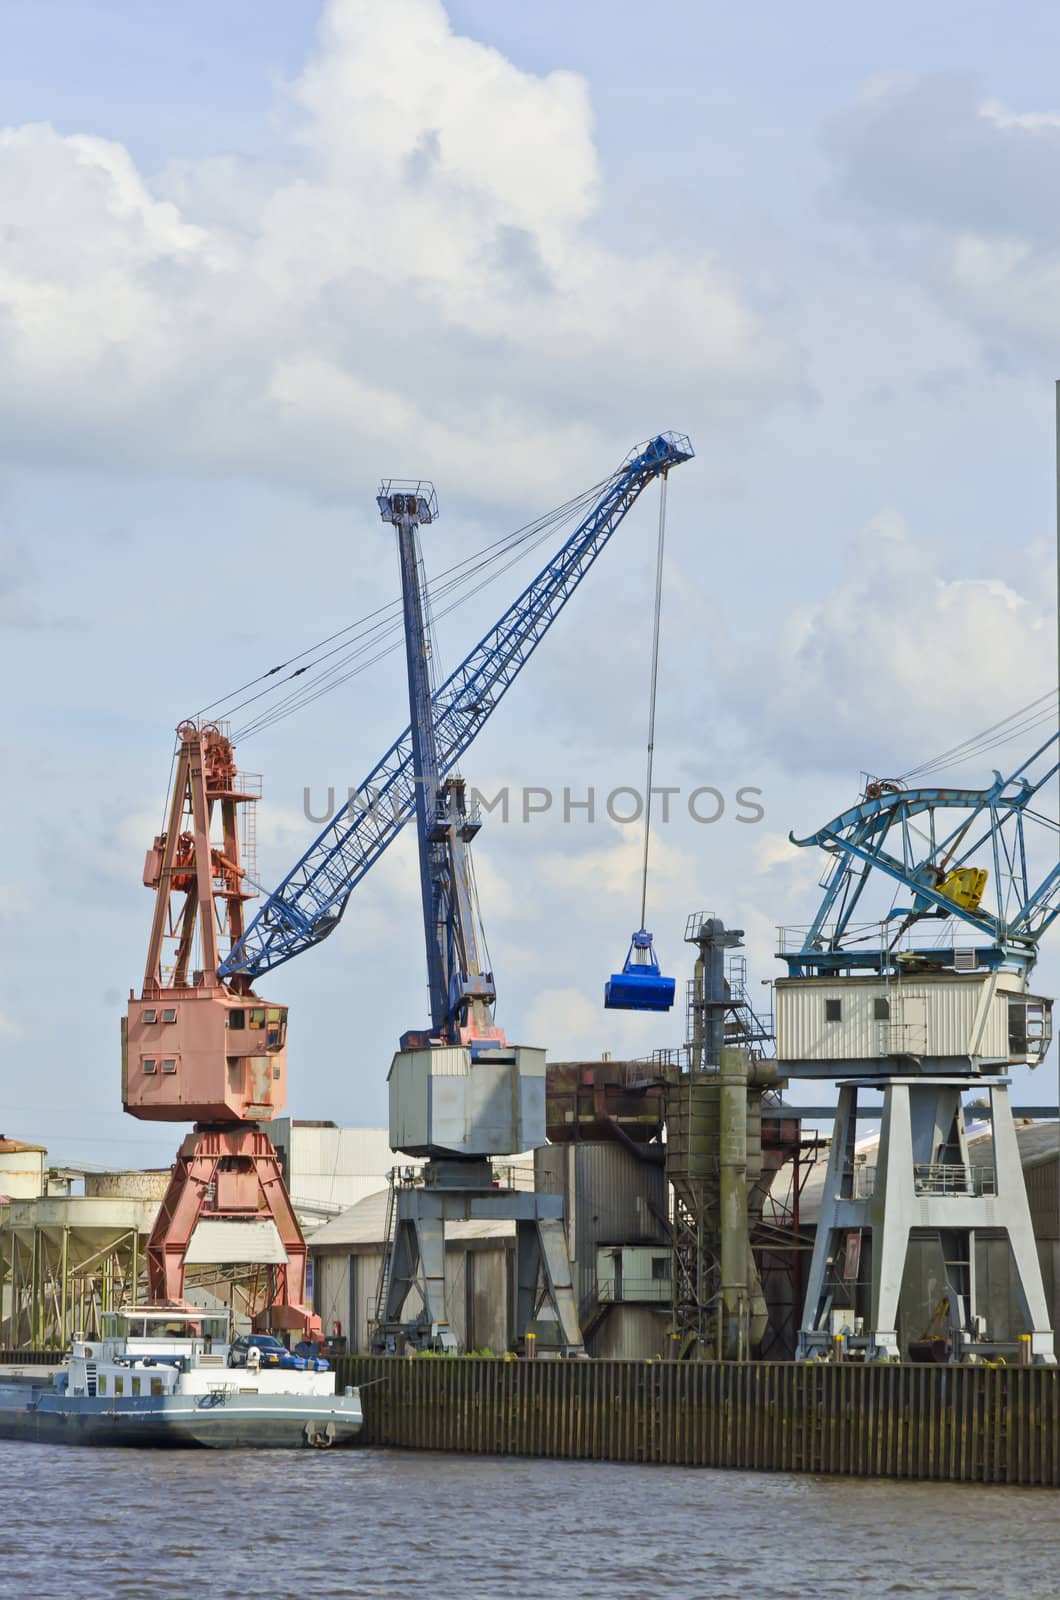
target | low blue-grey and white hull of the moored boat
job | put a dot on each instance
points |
(183, 1422)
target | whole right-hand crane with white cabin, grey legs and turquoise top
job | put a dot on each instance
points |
(925, 1006)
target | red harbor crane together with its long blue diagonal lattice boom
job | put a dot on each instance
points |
(199, 1044)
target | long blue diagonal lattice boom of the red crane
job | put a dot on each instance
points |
(311, 900)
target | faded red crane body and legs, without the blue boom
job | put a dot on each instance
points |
(204, 1049)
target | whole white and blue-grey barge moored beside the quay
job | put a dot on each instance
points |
(164, 1377)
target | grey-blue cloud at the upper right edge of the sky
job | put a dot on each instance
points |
(962, 194)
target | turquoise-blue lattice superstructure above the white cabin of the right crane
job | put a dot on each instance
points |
(944, 847)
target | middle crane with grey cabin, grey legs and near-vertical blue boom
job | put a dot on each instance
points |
(460, 1094)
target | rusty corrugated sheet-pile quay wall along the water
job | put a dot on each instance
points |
(968, 1425)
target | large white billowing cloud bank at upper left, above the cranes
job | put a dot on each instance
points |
(425, 270)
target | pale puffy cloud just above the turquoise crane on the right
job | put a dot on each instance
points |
(899, 662)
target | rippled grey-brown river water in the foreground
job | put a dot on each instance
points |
(238, 1526)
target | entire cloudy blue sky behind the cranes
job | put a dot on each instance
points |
(257, 257)
